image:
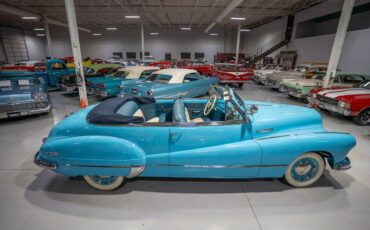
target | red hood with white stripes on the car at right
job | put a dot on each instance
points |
(348, 93)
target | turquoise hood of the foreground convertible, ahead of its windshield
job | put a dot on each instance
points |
(277, 119)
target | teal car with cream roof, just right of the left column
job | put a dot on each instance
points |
(110, 85)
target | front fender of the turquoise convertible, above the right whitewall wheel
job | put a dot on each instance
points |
(282, 149)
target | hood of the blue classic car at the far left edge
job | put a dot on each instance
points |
(18, 93)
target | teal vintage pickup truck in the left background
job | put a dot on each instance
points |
(55, 69)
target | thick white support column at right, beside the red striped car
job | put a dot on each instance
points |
(339, 40)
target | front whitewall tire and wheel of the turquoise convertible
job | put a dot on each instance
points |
(305, 170)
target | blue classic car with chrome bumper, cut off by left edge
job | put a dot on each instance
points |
(22, 95)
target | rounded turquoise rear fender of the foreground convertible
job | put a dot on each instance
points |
(93, 155)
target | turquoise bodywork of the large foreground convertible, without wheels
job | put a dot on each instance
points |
(261, 147)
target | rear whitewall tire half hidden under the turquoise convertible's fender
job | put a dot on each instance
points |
(105, 183)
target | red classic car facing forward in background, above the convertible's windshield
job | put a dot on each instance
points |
(231, 73)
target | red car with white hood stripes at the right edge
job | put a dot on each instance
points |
(350, 102)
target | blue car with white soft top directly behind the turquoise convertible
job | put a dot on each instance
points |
(171, 83)
